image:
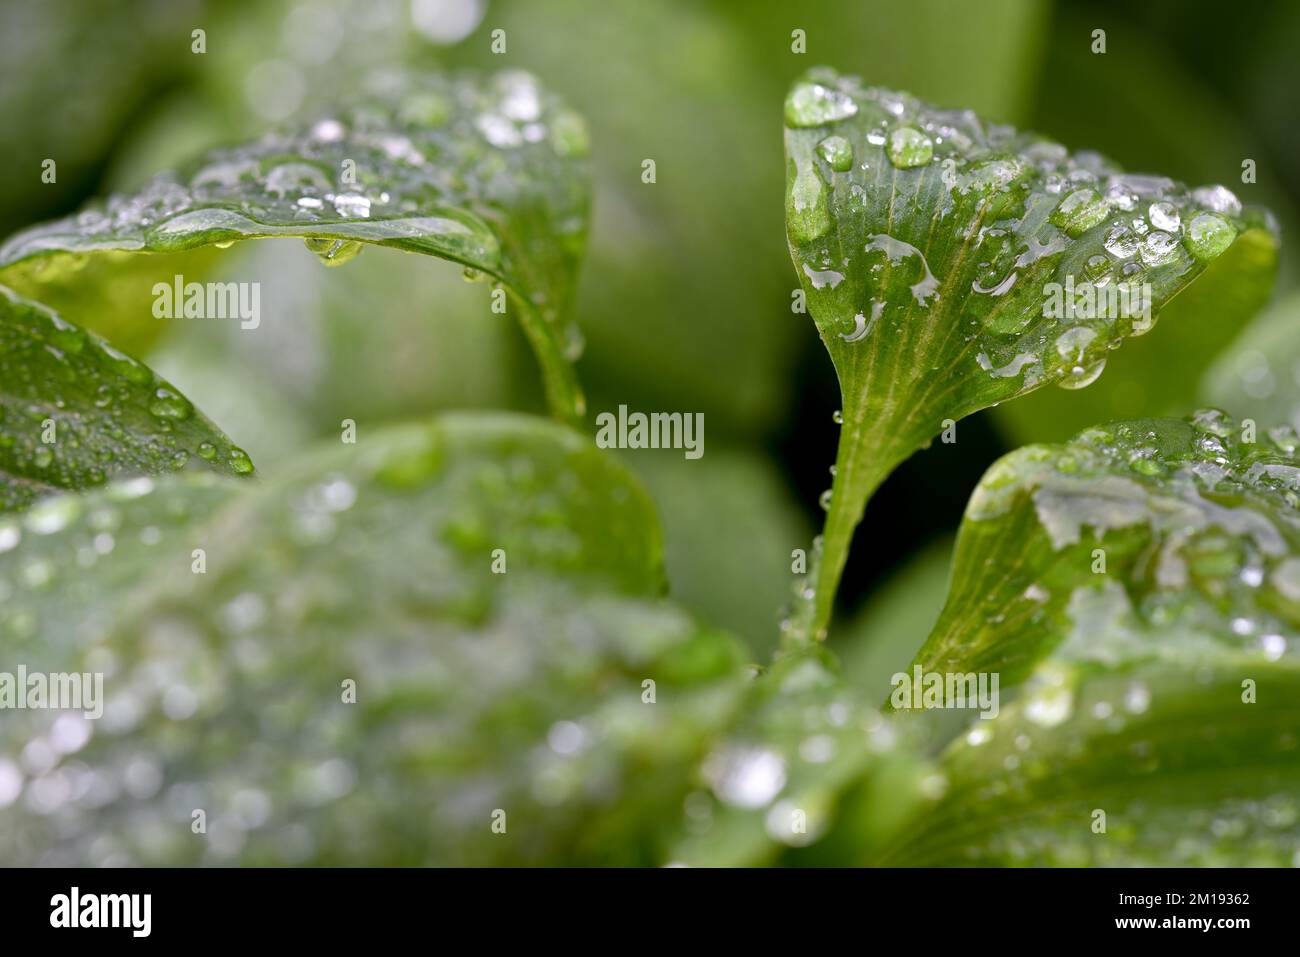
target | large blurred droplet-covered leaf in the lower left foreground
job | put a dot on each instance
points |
(371, 564)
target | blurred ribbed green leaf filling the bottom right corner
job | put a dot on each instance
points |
(1186, 773)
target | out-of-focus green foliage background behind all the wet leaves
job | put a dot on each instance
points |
(684, 295)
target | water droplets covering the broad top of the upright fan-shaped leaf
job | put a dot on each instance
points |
(1034, 213)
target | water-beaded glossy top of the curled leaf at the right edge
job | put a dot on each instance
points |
(1210, 505)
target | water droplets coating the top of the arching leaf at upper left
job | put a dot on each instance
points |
(408, 151)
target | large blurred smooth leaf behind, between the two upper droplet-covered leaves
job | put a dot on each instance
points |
(687, 300)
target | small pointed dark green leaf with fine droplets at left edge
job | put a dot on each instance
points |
(76, 413)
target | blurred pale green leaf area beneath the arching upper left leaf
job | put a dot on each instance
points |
(313, 365)
